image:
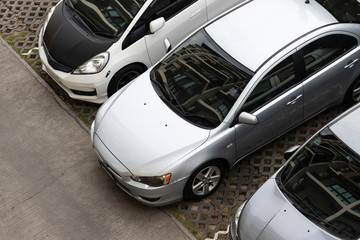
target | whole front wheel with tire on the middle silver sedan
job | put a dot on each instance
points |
(204, 180)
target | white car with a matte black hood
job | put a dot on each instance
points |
(93, 48)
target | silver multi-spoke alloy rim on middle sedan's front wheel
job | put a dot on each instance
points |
(206, 180)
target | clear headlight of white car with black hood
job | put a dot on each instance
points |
(94, 65)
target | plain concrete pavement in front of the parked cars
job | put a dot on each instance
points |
(51, 186)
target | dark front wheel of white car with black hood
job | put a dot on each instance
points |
(123, 77)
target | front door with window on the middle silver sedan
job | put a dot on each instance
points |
(277, 103)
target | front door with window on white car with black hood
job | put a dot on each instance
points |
(181, 18)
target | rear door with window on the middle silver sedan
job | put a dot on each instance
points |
(330, 64)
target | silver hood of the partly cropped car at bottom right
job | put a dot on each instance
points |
(269, 215)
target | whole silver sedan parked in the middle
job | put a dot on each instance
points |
(227, 90)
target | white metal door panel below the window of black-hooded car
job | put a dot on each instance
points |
(175, 29)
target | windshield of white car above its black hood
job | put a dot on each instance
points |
(108, 17)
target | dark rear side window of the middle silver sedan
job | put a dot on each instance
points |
(326, 50)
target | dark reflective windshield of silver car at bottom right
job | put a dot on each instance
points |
(323, 182)
